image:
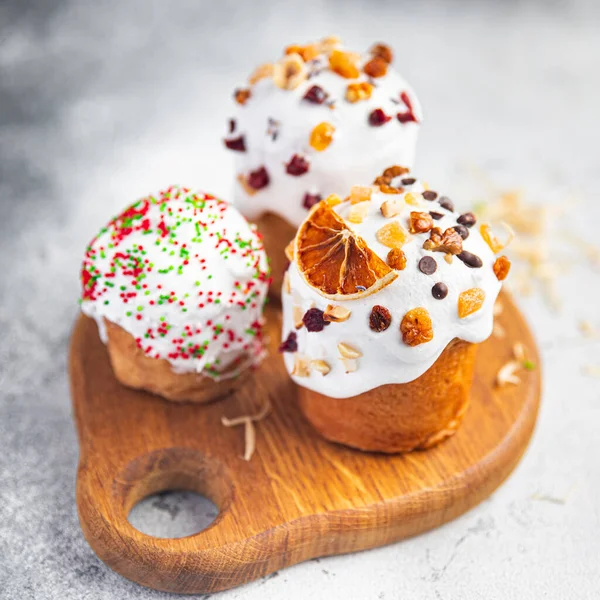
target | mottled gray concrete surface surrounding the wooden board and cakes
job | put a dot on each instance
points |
(103, 102)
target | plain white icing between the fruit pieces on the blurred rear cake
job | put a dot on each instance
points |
(357, 153)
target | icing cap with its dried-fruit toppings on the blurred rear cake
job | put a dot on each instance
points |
(316, 121)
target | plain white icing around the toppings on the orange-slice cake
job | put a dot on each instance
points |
(385, 358)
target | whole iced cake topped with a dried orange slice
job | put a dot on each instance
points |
(387, 296)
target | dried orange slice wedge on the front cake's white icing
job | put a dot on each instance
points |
(336, 261)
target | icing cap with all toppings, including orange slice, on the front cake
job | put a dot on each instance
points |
(381, 282)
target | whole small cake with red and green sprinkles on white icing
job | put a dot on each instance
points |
(177, 284)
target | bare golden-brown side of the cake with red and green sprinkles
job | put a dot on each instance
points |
(134, 369)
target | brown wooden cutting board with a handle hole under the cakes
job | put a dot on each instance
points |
(299, 497)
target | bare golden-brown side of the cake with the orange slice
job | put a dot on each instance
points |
(399, 417)
